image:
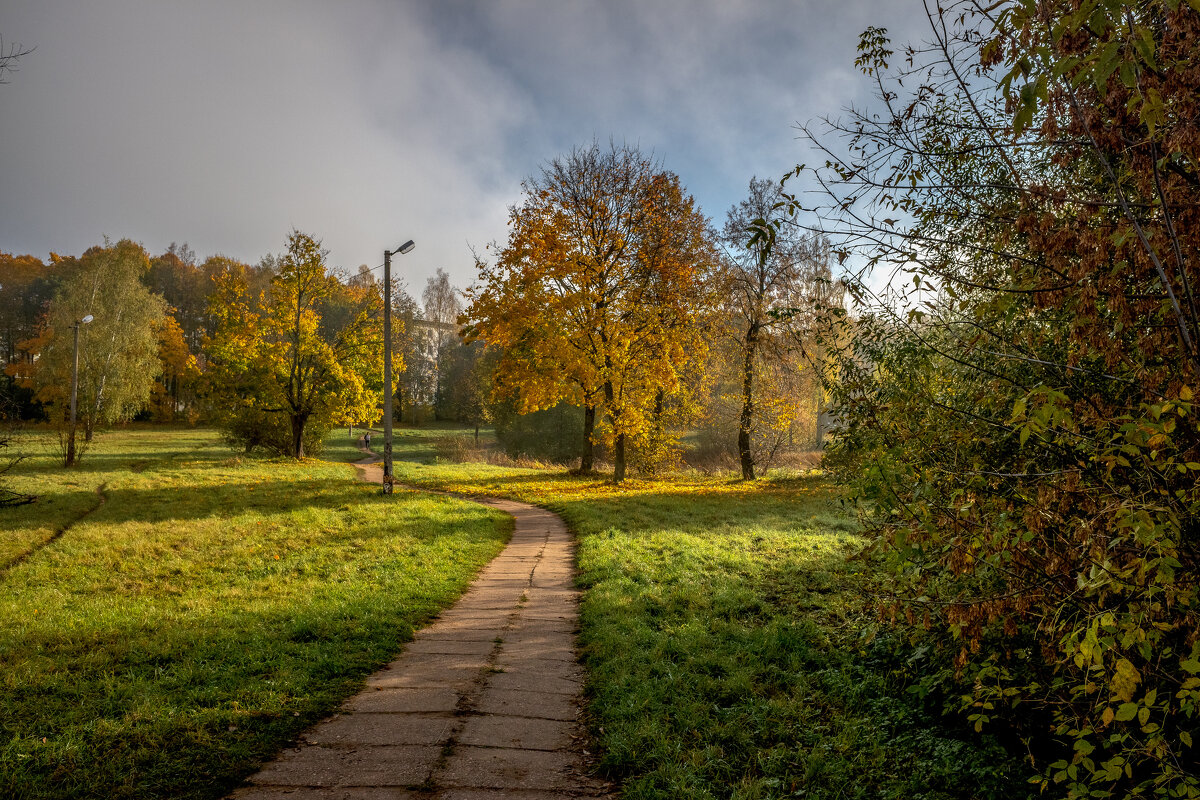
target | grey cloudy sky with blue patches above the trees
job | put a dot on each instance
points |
(229, 124)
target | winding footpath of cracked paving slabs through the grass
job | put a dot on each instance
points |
(483, 705)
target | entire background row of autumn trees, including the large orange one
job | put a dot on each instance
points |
(616, 305)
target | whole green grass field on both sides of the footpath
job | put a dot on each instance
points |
(212, 607)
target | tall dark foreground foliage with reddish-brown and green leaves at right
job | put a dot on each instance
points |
(1024, 438)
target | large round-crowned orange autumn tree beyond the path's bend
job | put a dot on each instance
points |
(598, 297)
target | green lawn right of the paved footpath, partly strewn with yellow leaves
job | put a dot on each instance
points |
(723, 627)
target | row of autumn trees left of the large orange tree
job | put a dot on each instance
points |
(274, 353)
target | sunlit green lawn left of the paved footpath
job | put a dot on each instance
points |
(209, 610)
